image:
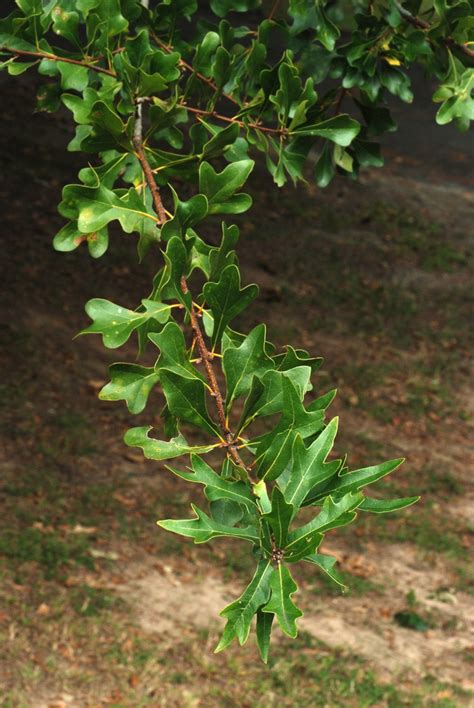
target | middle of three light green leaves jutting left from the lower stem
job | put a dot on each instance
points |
(131, 383)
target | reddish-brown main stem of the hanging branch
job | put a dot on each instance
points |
(205, 354)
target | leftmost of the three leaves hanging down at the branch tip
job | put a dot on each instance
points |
(239, 614)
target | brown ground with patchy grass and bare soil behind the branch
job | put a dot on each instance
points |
(97, 605)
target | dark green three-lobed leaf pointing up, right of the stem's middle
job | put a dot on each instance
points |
(226, 300)
